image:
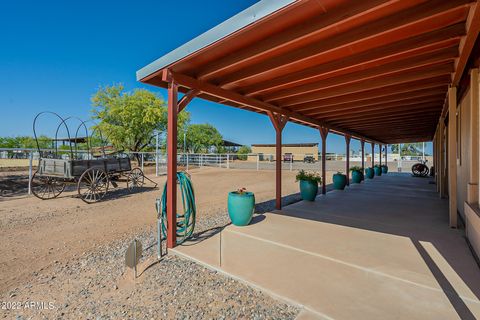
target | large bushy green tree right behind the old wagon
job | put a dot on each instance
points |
(129, 119)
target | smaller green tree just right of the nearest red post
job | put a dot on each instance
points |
(200, 137)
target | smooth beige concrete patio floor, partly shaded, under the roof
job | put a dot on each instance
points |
(378, 250)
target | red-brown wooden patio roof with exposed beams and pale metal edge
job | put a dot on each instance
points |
(375, 69)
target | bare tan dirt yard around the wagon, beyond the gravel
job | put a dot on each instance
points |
(39, 236)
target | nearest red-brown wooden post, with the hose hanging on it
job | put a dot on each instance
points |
(172, 165)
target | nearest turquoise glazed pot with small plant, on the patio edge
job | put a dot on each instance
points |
(241, 205)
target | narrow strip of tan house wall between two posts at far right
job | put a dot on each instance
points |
(463, 151)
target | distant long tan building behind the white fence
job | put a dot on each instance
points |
(299, 151)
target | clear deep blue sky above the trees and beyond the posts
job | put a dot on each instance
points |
(55, 54)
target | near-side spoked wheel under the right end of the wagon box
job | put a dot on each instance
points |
(93, 185)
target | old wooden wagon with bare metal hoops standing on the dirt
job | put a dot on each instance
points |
(91, 176)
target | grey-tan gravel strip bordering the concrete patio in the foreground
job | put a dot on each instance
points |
(97, 286)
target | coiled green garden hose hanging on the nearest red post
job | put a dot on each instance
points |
(185, 220)
